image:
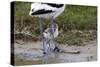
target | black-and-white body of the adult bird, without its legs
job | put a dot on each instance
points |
(46, 10)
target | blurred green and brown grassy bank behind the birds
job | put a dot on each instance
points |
(74, 17)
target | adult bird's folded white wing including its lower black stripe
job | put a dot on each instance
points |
(38, 8)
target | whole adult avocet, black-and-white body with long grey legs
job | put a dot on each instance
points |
(46, 11)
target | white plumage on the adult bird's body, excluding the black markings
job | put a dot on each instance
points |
(39, 6)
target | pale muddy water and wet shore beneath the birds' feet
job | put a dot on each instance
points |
(31, 53)
